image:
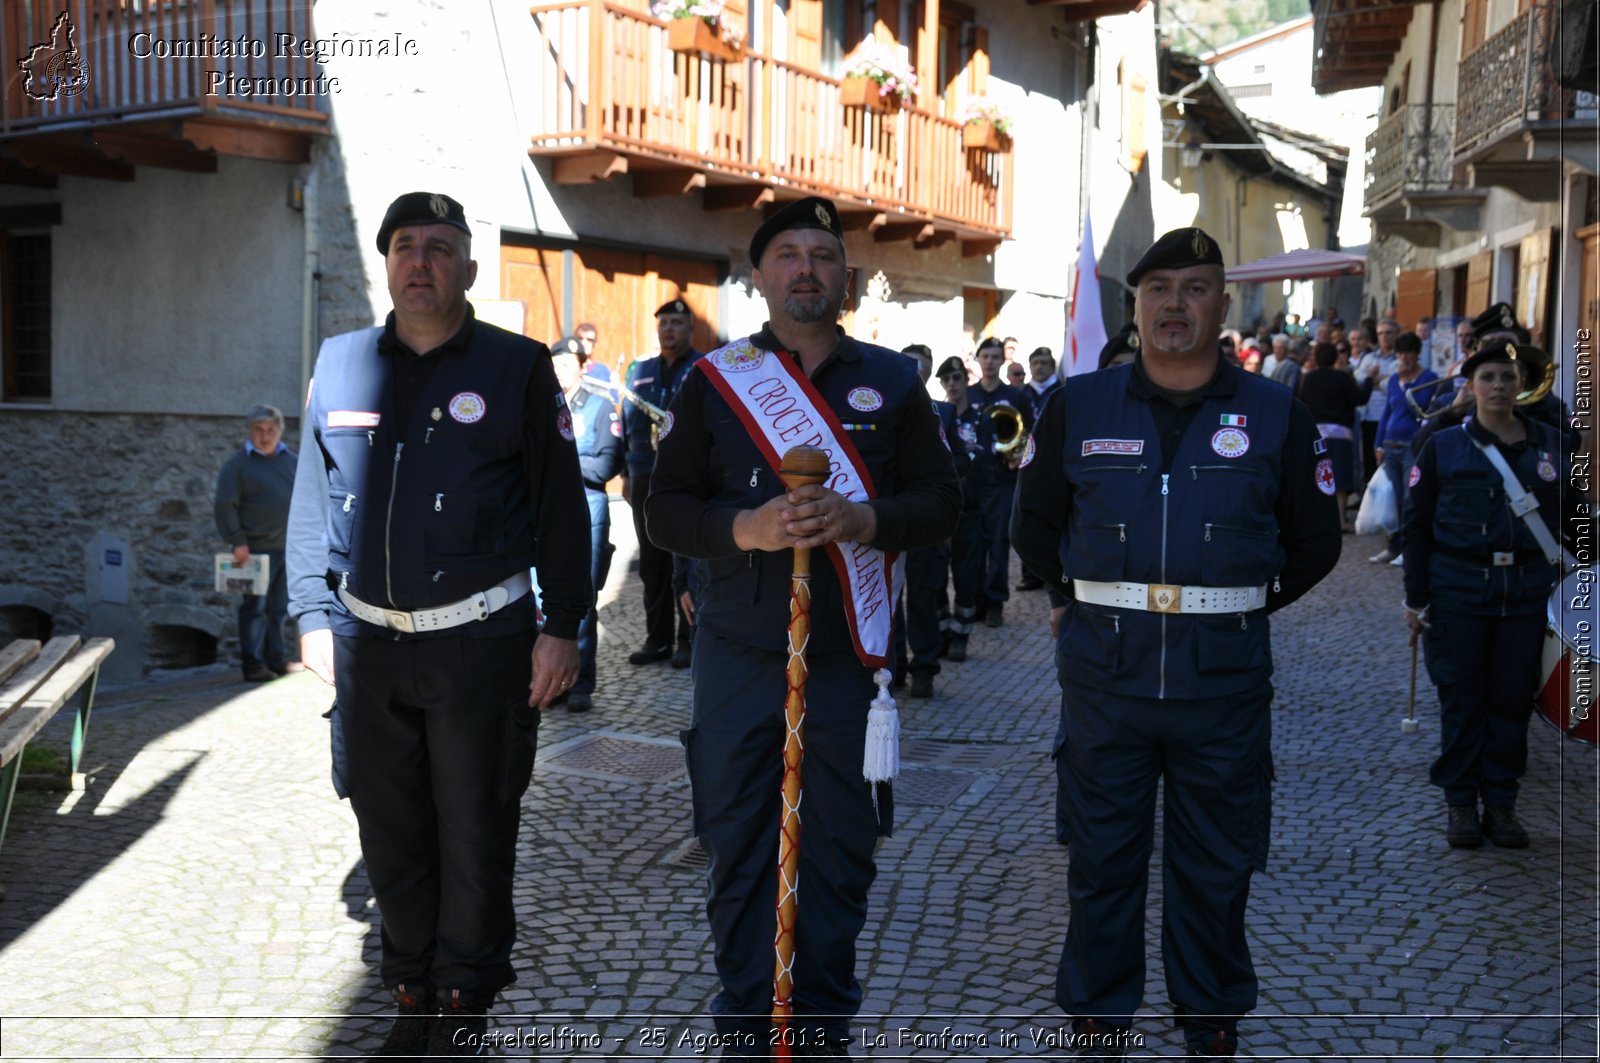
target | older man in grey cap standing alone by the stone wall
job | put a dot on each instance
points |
(252, 515)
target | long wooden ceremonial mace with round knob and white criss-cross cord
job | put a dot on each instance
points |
(802, 465)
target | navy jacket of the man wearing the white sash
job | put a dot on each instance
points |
(710, 468)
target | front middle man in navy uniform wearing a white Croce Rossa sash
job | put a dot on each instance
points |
(716, 497)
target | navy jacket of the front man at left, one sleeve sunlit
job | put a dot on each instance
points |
(484, 484)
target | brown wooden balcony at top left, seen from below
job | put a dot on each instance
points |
(162, 82)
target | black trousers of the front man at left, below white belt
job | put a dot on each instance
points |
(441, 745)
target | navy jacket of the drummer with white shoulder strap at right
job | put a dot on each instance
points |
(1458, 516)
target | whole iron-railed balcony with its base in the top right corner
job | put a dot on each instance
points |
(1516, 126)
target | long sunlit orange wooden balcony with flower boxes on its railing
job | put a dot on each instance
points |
(612, 98)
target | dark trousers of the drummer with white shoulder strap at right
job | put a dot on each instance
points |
(1487, 672)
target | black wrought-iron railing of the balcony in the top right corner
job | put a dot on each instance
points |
(1508, 82)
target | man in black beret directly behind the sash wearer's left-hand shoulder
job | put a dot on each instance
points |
(670, 622)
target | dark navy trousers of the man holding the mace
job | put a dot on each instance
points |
(735, 756)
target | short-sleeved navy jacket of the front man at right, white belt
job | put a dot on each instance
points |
(1230, 492)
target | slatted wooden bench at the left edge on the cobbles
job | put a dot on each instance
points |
(34, 684)
